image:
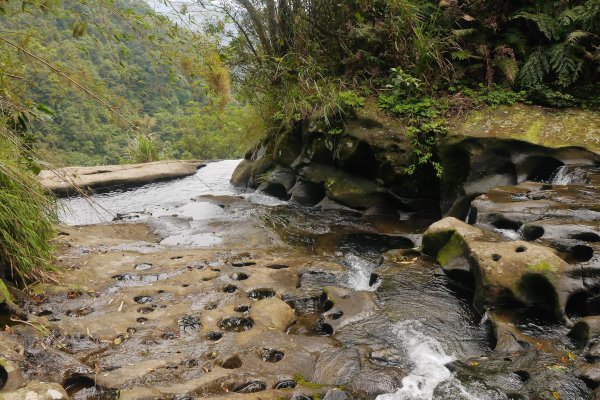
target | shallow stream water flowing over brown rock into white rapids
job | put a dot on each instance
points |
(425, 320)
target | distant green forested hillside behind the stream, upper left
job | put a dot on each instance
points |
(151, 74)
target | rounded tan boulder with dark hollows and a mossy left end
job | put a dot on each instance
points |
(505, 272)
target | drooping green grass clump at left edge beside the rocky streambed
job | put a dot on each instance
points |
(27, 216)
